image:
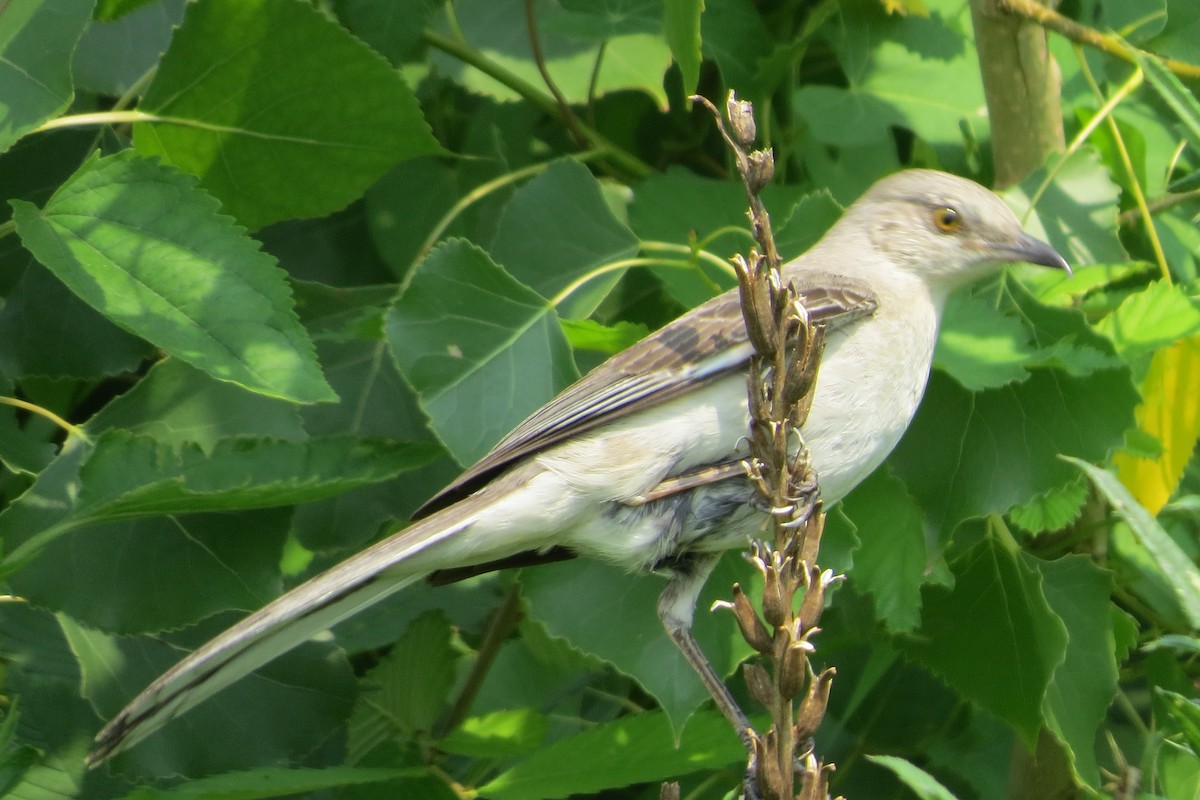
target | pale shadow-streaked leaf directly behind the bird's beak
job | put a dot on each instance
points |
(1075, 210)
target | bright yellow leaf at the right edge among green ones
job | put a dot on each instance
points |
(1168, 412)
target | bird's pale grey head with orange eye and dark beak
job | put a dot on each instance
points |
(945, 230)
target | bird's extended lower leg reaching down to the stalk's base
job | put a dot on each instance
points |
(677, 609)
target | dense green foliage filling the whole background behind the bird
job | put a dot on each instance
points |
(274, 272)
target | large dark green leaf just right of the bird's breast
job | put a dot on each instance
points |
(969, 455)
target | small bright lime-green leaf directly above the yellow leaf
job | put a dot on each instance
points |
(1156, 317)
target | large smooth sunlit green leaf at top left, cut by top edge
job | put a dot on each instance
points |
(254, 100)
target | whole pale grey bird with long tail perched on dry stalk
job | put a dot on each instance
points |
(638, 464)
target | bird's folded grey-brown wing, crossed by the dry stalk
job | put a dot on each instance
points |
(701, 346)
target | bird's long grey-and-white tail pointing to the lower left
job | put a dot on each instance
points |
(313, 607)
